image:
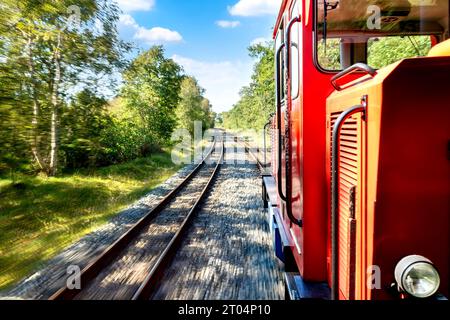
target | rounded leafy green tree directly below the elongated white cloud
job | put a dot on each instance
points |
(151, 89)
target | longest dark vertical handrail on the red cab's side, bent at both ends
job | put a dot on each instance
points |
(288, 147)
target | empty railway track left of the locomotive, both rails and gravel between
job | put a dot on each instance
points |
(130, 268)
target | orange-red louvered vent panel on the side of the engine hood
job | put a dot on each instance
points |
(349, 150)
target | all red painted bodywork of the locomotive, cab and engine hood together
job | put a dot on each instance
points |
(403, 176)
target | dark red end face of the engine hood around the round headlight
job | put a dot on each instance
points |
(413, 191)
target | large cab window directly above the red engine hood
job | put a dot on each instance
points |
(376, 32)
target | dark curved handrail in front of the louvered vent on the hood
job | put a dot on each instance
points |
(335, 174)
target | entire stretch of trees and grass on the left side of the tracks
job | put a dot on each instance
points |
(76, 144)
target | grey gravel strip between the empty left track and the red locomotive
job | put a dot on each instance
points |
(224, 256)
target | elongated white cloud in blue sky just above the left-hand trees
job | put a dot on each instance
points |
(156, 35)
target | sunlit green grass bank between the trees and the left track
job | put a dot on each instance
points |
(41, 216)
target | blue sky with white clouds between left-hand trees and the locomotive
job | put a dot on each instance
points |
(209, 38)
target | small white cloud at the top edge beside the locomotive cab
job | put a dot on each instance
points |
(252, 8)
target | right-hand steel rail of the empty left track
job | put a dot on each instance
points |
(153, 280)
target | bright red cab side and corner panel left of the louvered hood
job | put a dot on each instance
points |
(308, 143)
